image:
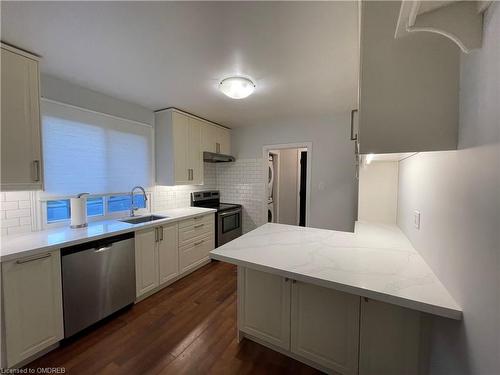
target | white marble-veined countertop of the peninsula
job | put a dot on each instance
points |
(376, 261)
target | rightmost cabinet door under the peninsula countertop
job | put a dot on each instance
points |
(391, 340)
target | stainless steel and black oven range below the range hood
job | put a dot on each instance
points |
(227, 219)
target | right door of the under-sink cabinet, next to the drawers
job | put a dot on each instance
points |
(168, 253)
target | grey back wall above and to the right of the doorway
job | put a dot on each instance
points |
(333, 185)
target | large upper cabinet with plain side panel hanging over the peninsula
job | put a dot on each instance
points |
(408, 90)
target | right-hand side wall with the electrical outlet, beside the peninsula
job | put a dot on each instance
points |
(458, 195)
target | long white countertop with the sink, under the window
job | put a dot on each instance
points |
(17, 246)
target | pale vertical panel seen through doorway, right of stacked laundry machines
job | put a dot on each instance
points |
(288, 187)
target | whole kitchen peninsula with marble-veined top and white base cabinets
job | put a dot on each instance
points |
(339, 301)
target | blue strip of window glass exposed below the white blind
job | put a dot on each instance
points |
(60, 210)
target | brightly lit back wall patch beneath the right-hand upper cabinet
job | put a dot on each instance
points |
(378, 192)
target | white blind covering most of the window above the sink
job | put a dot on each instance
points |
(85, 151)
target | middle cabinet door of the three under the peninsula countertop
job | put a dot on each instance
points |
(325, 326)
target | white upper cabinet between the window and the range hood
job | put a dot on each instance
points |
(178, 149)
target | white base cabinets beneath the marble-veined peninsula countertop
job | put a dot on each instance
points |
(334, 331)
